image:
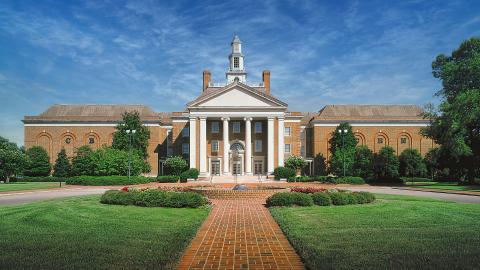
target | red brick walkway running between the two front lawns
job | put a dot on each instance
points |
(240, 234)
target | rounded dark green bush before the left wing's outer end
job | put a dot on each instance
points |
(38, 162)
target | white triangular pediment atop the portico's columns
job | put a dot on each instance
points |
(237, 95)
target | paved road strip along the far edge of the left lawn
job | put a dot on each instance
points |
(39, 195)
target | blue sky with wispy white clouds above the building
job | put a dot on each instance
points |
(153, 52)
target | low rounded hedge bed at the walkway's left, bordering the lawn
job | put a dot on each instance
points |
(154, 198)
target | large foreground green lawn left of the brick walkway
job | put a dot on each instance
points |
(81, 233)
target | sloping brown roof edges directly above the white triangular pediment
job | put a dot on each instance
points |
(211, 92)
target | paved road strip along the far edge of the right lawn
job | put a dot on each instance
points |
(435, 195)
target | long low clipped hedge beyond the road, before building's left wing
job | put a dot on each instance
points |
(108, 180)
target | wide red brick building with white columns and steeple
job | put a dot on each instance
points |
(237, 127)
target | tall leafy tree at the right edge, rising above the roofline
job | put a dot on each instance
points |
(455, 125)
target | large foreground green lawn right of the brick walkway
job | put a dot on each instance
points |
(395, 232)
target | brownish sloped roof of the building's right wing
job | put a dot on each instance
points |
(370, 112)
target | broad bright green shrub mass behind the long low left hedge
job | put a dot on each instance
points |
(111, 161)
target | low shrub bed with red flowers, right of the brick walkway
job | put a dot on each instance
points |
(307, 197)
